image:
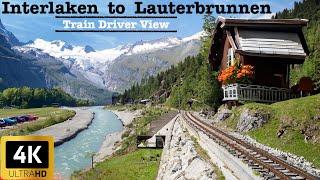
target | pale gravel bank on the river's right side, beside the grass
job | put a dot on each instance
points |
(112, 141)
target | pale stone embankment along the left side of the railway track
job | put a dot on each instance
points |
(180, 160)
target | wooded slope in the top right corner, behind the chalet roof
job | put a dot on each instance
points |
(307, 9)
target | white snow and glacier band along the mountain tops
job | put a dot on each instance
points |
(86, 57)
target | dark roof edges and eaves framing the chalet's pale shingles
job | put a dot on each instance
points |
(228, 28)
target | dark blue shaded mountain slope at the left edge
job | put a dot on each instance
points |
(40, 70)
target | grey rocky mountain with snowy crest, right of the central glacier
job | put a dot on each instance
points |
(142, 61)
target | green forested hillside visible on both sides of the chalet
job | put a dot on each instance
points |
(193, 79)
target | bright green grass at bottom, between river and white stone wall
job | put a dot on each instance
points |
(140, 164)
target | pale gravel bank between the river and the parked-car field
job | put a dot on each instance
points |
(67, 130)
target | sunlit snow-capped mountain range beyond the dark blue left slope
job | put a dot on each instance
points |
(116, 69)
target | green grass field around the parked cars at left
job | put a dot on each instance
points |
(47, 117)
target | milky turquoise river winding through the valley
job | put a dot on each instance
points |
(75, 154)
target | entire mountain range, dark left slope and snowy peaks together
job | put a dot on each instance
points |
(83, 71)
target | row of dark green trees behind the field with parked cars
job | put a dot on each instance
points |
(26, 97)
